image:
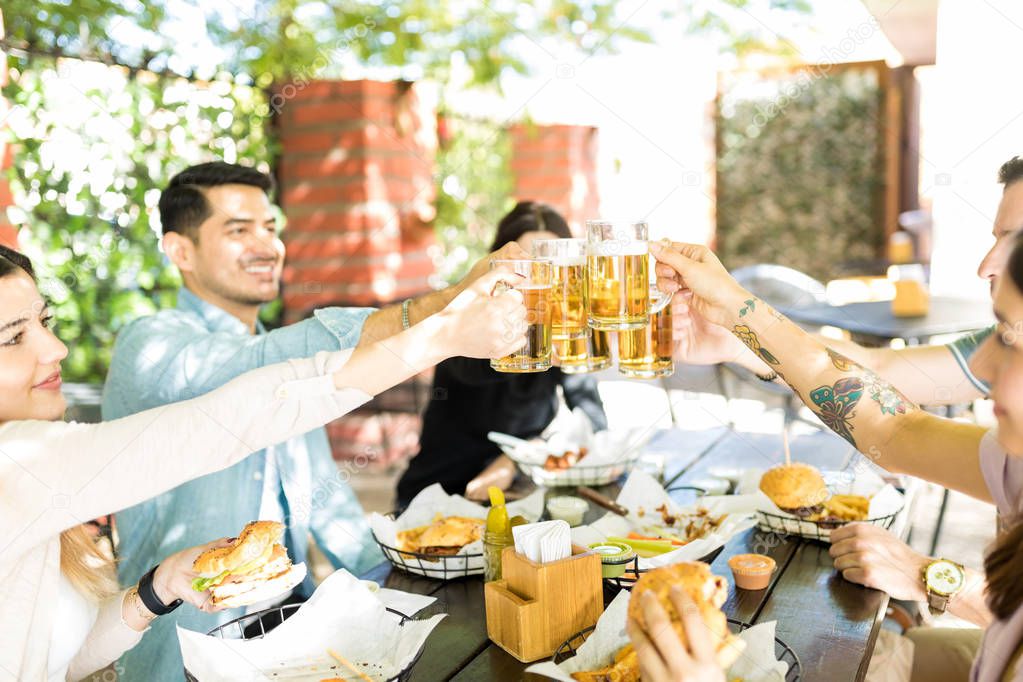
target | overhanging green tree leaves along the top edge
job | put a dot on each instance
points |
(285, 39)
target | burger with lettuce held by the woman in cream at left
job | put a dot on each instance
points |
(254, 568)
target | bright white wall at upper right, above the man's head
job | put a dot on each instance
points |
(974, 123)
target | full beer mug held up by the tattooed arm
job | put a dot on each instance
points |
(618, 277)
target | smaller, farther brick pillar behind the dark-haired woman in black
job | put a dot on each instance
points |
(558, 165)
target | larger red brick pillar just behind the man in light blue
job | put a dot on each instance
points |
(357, 185)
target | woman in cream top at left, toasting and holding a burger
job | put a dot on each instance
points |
(61, 614)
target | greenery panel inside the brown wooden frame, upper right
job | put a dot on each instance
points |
(799, 165)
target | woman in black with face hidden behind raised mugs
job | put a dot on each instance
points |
(470, 398)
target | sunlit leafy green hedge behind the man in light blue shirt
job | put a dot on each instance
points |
(94, 153)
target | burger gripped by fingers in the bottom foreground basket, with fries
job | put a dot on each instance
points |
(708, 594)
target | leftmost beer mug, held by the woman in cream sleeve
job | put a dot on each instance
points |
(536, 288)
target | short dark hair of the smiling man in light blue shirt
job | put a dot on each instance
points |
(184, 206)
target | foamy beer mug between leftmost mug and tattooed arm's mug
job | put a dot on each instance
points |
(569, 288)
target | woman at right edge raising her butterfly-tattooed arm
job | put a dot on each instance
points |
(876, 419)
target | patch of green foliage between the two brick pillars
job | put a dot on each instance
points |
(474, 193)
